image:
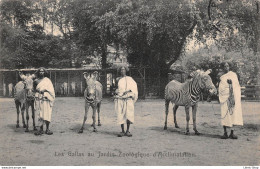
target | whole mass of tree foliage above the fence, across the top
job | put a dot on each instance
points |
(153, 32)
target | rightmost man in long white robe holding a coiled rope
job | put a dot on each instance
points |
(230, 101)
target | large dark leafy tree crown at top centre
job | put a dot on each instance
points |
(148, 30)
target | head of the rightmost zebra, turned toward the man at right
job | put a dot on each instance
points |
(206, 82)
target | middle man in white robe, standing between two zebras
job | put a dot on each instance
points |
(126, 96)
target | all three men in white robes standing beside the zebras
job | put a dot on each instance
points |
(126, 95)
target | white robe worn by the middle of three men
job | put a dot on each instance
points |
(124, 105)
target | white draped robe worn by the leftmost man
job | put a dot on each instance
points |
(44, 102)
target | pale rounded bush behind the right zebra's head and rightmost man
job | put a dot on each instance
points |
(243, 63)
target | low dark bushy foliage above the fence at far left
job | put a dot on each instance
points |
(24, 48)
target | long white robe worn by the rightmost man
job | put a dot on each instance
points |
(233, 117)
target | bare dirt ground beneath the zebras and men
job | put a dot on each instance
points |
(150, 144)
